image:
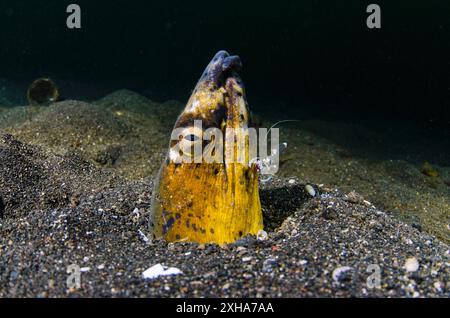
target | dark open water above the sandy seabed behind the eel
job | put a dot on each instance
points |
(315, 55)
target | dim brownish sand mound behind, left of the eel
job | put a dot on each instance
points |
(105, 134)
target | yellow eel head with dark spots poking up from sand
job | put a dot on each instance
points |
(215, 201)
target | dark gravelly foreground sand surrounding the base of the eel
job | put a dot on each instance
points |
(59, 210)
